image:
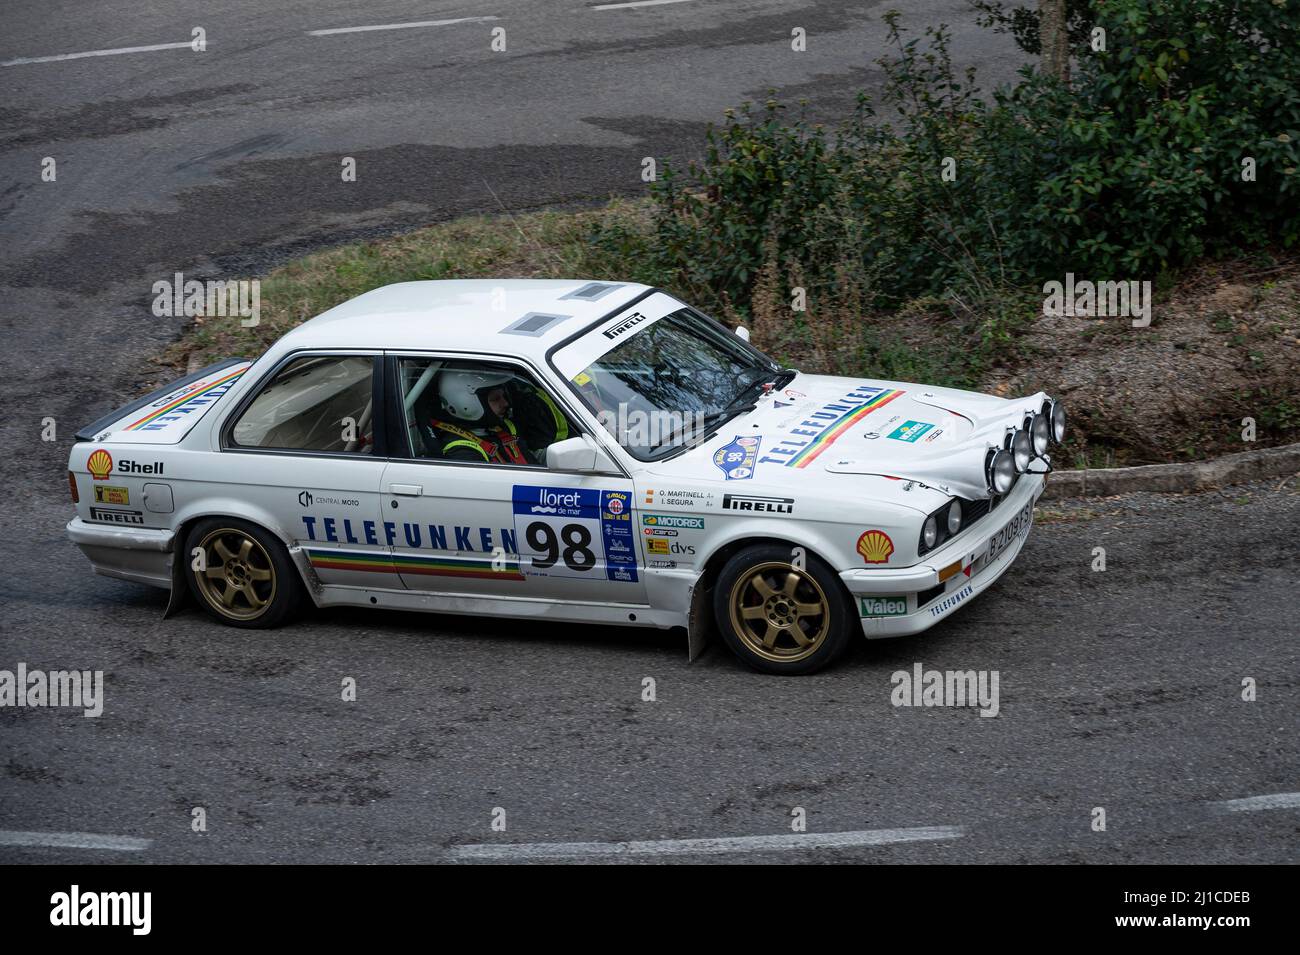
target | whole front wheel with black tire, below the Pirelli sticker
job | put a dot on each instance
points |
(795, 640)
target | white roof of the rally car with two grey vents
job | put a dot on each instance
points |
(519, 318)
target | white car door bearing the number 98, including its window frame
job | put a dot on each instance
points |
(499, 529)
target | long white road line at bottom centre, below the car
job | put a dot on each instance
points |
(738, 844)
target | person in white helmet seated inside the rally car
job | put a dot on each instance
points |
(474, 420)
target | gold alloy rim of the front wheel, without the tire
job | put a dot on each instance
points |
(779, 613)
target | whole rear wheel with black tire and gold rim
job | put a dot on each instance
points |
(248, 580)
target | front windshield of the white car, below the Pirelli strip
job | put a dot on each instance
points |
(666, 384)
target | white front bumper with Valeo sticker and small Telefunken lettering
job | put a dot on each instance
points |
(892, 596)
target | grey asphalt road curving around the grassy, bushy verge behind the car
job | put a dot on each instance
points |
(1119, 689)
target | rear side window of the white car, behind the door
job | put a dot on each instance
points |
(314, 403)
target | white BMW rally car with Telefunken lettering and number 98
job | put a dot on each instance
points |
(571, 452)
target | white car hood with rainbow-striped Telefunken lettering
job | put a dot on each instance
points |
(825, 433)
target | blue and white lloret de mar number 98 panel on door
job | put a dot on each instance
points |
(575, 532)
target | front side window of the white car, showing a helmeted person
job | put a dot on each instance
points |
(479, 413)
